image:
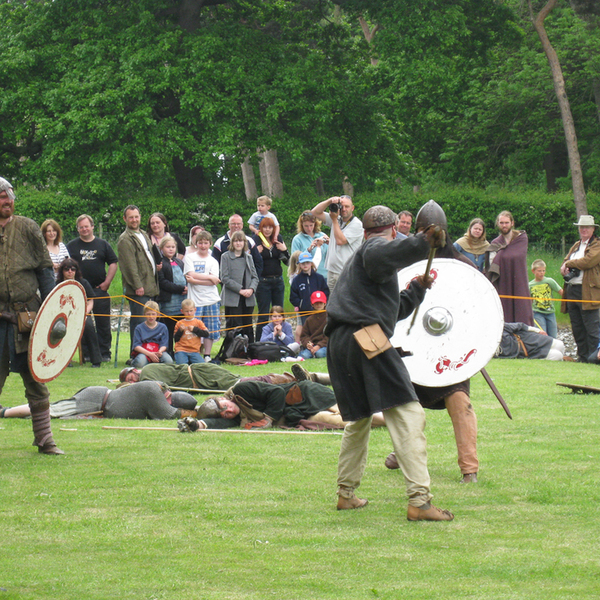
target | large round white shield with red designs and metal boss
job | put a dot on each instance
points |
(458, 325)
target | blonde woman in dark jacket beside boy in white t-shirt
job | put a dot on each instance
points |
(172, 285)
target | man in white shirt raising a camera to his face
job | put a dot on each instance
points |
(346, 234)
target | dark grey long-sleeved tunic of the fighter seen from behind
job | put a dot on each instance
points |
(367, 292)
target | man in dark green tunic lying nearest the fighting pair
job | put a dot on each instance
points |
(258, 405)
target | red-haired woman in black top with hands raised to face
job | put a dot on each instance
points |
(271, 288)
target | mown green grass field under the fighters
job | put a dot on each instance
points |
(161, 515)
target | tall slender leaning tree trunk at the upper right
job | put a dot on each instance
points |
(565, 108)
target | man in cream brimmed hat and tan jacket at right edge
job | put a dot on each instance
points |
(581, 270)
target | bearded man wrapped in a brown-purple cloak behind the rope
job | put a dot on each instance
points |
(506, 268)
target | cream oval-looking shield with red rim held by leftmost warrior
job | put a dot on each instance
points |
(57, 330)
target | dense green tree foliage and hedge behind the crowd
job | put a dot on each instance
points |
(154, 98)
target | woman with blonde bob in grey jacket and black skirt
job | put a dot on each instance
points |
(239, 282)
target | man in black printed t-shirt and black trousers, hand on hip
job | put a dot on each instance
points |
(93, 256)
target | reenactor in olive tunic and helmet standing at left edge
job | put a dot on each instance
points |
(25, 268)
